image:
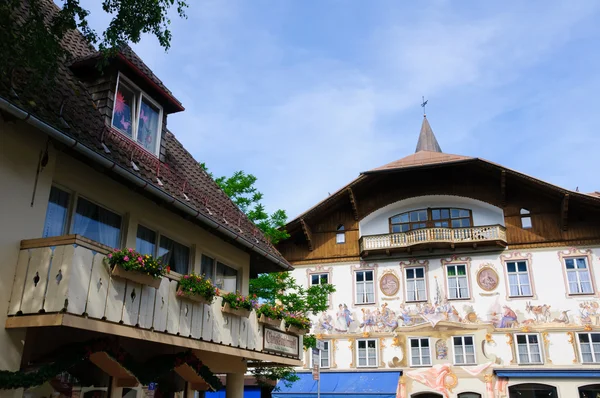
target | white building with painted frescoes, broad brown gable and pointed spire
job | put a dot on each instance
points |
(464, 278)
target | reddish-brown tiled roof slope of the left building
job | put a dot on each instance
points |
(180, 175)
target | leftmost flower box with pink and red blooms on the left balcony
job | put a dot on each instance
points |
(131, 265)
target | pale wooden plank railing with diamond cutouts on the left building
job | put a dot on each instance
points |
(69, 275)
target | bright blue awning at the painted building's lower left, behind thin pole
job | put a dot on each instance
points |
(348, 384)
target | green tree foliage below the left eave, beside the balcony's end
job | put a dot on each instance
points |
(282, 288)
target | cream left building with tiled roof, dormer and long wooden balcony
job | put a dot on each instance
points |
(87, 164)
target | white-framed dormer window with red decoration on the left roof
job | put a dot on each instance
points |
(136, 115)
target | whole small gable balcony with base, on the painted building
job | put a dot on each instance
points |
(432, 238)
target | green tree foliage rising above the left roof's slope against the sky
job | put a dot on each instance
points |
(240, 188)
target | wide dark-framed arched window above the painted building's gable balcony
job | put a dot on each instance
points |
(435, 217)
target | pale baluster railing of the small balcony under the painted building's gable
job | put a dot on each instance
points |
(452, 236)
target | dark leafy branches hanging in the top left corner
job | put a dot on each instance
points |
(31, 31)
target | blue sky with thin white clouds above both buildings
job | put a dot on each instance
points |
(306, 94)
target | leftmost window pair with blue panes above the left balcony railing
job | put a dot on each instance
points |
(89, 220)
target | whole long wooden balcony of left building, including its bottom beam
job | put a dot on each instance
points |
(68, 277)
